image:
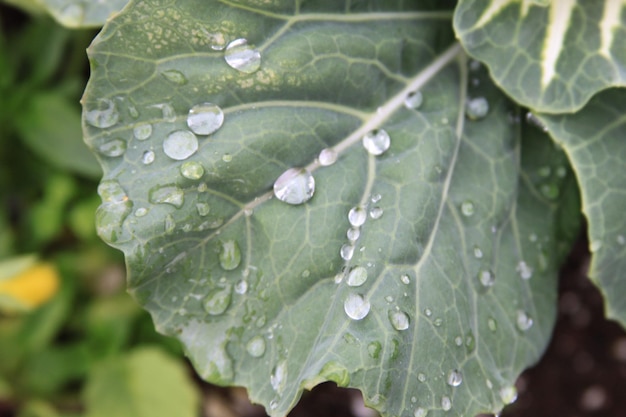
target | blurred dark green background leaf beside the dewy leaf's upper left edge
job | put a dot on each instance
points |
(51, 127)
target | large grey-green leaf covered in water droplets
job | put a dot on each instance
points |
(448, 291)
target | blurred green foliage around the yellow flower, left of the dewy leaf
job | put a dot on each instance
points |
(83, 352)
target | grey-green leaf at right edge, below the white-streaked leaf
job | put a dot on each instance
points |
(594, 142)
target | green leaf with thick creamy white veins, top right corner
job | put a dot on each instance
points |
(549, 56)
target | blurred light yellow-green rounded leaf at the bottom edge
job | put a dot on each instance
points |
(144, 383)
